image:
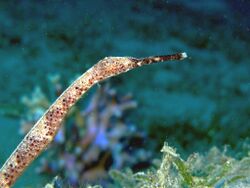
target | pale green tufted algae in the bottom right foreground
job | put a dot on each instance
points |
(213, 169)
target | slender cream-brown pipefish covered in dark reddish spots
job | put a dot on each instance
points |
(43, 132)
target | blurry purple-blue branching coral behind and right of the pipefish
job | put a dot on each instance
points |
(96, 139)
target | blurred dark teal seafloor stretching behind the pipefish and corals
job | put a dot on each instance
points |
(195, 104)
